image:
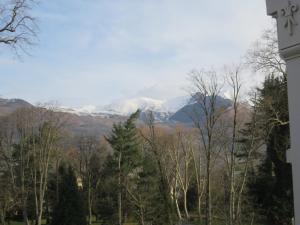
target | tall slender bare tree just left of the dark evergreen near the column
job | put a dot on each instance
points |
(237, 167)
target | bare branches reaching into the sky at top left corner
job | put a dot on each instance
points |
(17, 26)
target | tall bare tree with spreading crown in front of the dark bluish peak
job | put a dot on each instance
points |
(205, 92)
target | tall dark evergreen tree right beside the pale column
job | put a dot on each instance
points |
(271, 185)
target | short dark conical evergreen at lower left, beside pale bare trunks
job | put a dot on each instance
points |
(69, 209)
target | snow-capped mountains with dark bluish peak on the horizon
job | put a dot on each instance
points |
(174, 110)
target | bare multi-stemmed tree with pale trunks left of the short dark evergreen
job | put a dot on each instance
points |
(43, 142)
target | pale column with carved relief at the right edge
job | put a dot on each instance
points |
(287, 14)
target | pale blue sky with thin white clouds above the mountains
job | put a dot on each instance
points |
(92, 52)
